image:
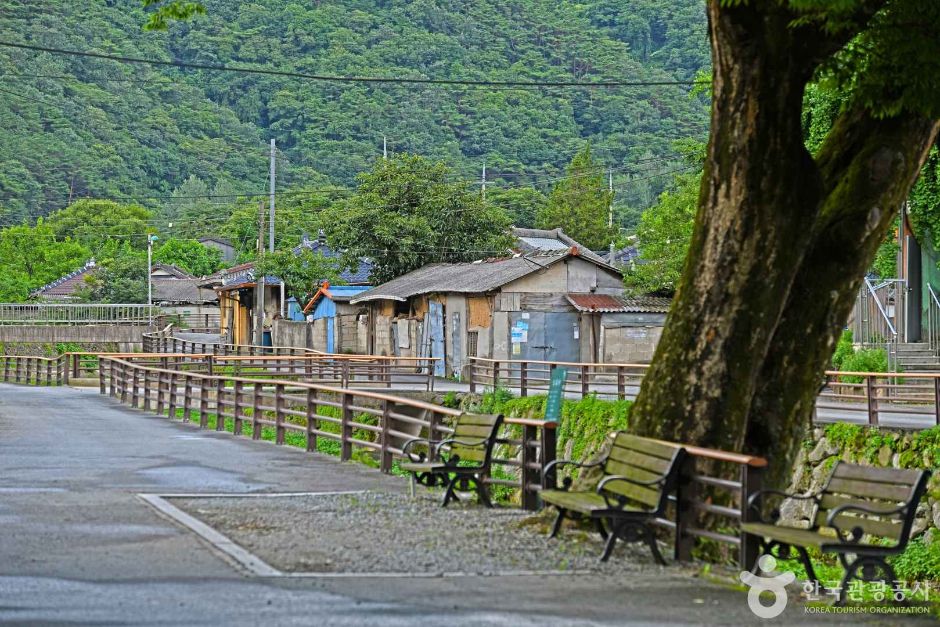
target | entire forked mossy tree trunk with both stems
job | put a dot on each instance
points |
(780, 244)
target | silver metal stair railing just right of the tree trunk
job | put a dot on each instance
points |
(878, 316)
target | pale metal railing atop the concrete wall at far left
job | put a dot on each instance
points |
(60, 313)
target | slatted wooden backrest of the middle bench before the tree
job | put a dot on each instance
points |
(643, 460)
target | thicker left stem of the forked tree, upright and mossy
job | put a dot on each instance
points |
(759, 192)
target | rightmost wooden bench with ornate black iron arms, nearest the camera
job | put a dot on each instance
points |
(854, 514)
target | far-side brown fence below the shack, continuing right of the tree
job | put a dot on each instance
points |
(904, 400)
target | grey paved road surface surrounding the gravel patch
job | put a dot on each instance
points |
(79, 547)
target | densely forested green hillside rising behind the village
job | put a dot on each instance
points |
(73, 127)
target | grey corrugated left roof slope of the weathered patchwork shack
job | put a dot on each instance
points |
(476, 277)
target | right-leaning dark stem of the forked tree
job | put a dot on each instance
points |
(863, 194)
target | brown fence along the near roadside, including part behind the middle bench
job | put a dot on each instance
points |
(714, 482)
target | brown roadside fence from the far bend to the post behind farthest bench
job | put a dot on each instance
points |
(355, 419)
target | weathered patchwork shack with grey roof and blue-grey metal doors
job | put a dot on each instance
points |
(508, 308)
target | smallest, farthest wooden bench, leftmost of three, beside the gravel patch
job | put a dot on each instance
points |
(458, 461)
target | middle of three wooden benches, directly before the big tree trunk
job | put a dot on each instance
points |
(638, 476)
